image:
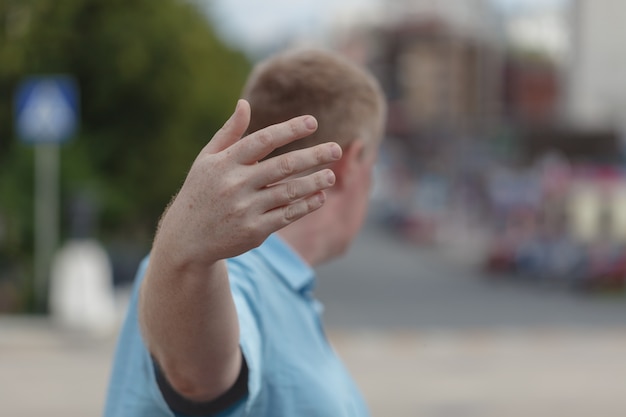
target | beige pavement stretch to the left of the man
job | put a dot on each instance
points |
(48, 372)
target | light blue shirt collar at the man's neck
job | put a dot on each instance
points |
(291, 268)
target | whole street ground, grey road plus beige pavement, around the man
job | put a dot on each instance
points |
(423, 335)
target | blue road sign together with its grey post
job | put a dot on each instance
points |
(46, 113)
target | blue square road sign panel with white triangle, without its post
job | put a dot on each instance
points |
(46, 109)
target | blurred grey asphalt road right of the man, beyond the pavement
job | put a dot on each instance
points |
(384, 282)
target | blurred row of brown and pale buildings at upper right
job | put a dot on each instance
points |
(456, 72)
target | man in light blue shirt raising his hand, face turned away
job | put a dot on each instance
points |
(223, 321)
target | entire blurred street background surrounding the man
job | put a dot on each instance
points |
(490, 279)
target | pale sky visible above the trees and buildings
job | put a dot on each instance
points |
(257, 24)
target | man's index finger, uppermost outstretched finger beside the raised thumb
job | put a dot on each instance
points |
(257, 145)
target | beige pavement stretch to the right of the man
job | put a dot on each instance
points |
(489, 374)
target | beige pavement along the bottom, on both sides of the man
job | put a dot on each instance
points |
(503, 373)
